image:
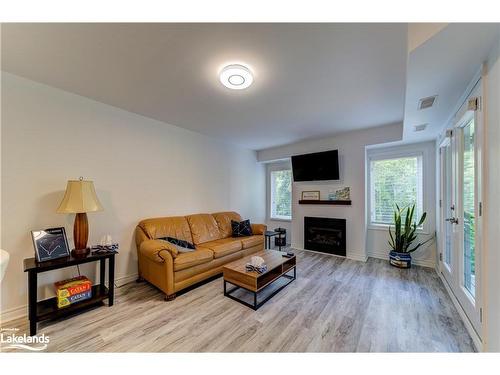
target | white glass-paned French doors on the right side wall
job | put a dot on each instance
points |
(460, 255)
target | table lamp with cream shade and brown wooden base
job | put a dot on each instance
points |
(80, 198)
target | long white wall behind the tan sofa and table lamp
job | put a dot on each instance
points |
(140, 167)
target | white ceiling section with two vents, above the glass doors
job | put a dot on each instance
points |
(444, 65)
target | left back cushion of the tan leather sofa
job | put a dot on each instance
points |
(160, 227)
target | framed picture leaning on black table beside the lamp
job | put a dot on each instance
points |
(50, 244)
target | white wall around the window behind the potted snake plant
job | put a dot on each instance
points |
(376, 239)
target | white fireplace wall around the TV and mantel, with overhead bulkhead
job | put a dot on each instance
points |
(351, 148)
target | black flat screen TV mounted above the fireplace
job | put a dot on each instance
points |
(316, 167)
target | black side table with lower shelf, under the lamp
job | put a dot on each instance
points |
(47, 309)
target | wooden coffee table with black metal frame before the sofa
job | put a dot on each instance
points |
(277, 266)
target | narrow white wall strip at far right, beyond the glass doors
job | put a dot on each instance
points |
(491, 267)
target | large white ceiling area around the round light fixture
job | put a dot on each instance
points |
(311, 80)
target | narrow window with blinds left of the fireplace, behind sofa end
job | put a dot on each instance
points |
(281, 194)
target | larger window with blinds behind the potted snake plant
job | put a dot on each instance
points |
(394, 181)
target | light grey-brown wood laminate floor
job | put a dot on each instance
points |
(335, 305)
